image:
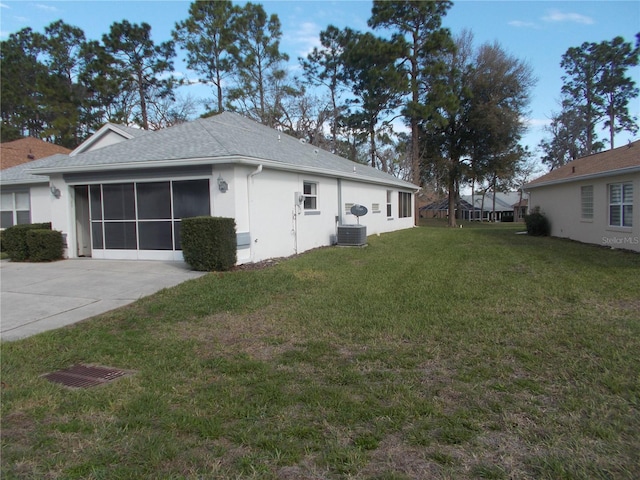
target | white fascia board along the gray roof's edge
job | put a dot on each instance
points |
(218, 161)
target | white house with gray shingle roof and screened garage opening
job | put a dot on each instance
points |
(125, 200)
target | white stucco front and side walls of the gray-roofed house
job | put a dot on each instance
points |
(263, 204)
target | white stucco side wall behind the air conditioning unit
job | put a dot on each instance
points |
(279, 227)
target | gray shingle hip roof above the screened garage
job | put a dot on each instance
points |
(227, 136)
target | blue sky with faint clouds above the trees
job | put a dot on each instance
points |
(538, 32)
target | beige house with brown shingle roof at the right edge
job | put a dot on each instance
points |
(594, 199)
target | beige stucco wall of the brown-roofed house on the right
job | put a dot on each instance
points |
(561, 203)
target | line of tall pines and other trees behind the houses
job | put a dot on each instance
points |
(464, 105)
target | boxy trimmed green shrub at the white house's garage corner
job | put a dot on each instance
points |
(209, 243)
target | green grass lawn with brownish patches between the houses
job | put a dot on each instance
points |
(432, 353)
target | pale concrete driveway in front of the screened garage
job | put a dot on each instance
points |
(36, 297)
